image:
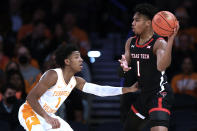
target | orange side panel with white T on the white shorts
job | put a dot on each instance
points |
(29, 116)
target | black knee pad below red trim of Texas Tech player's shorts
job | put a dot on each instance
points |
(159, 118)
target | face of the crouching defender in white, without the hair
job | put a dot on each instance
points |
(76, 61)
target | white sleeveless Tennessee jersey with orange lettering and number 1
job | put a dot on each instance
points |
(53, 98)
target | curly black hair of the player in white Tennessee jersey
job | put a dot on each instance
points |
(63, 52)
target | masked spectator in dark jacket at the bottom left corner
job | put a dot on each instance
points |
(9, 107)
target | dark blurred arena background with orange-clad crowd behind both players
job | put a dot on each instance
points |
(31, 31)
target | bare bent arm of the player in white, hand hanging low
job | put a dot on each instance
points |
(48, 80)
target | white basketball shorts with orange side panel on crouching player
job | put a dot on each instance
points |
(34, 122)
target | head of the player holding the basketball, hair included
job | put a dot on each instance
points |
(142, 19)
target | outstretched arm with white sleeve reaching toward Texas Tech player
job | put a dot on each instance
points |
(103, 90)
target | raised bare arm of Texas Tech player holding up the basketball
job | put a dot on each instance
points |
(163, 51)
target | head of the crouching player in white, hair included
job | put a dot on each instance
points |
(69, 55)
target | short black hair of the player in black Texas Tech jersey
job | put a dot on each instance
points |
(146, 9)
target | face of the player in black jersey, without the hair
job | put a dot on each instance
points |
(139, 23)
